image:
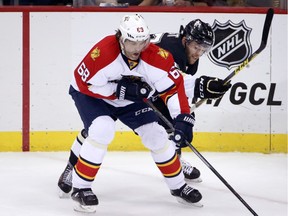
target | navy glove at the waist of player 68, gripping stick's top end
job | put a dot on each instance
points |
(132, 89)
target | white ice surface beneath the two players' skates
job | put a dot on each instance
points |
(129, 183)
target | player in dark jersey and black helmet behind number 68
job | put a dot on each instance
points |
(187, 47)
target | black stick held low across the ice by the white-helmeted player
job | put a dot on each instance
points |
(171, 128)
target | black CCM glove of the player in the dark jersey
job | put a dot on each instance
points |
(210, 87)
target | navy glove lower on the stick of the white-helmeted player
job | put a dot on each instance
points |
(183, 125)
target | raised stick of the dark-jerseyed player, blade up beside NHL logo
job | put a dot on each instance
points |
(265, 33)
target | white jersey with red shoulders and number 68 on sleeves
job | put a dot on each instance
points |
(98, 73)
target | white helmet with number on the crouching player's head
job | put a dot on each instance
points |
(134, 28)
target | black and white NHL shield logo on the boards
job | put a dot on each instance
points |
(232, 44)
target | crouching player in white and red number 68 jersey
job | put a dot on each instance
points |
(110, 83)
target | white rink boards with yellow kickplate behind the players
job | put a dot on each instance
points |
(40, 49)
